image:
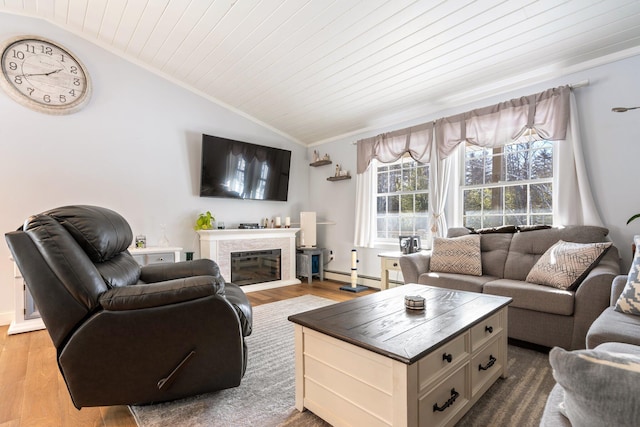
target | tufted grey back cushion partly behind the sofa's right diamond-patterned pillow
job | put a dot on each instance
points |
(527, 248)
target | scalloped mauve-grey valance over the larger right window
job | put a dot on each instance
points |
(545, 114)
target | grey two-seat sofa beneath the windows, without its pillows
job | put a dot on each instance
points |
(539, 314)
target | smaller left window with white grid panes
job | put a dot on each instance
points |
(402, 199)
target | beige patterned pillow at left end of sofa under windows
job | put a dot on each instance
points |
(457, 255)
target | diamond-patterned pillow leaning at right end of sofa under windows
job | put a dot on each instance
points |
(565, 264)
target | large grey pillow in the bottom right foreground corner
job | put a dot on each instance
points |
(601, 388)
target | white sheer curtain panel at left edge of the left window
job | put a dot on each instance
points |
(365, 208)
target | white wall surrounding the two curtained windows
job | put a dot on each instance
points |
(611, 151)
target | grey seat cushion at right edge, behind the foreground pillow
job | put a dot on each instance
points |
(614, 326)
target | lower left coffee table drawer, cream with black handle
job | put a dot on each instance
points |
(447, 400)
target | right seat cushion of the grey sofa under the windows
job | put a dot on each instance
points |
(533, 297)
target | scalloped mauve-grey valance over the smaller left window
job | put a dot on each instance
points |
(389, 147)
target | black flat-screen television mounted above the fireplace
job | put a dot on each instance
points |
(241, 170)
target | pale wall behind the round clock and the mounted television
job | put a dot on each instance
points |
(134, 148)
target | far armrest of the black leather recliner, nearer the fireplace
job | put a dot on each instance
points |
(177, 270)
